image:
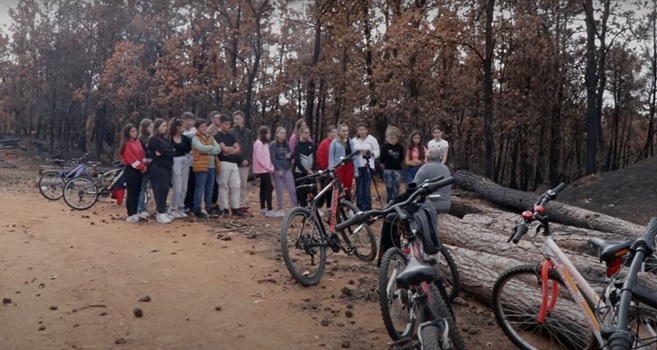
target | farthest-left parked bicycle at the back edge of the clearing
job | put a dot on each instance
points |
(51, 182)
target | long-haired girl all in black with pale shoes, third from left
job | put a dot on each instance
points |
(161, 168)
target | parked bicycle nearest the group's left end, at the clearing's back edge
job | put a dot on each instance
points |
(81, 193)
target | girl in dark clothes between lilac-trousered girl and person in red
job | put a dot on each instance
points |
(304, 164)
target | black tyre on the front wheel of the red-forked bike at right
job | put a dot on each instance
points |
(554, 325)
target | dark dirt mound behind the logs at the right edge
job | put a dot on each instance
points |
(627, 193)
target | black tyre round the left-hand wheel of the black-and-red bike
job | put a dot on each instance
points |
(300, 276)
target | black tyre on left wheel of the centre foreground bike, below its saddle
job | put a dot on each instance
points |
(385, 300)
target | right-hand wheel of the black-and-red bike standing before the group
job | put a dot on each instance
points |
(360, 238)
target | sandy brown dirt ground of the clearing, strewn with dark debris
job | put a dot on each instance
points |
(74, 279)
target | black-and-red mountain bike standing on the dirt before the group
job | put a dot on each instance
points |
(313, 238)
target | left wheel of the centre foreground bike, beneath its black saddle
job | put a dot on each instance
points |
(397, 310)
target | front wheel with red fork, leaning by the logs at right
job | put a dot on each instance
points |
(517, 299)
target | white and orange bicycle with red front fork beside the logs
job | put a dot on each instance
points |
(549, 319)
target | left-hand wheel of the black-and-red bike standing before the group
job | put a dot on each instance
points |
(302, 246)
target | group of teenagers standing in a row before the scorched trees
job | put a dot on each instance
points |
(207, 164)
